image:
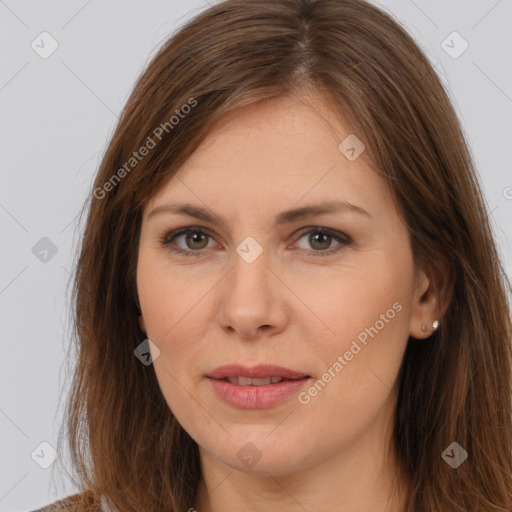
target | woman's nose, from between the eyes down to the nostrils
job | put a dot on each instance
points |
(252, 300)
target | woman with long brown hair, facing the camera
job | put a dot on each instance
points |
(287, 293)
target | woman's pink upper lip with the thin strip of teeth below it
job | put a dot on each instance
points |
(255, 375)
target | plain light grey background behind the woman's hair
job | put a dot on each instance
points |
(56, 117)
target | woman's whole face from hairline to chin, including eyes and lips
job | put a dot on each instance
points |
(335, 305)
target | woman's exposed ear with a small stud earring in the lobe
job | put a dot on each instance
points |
(431, 297)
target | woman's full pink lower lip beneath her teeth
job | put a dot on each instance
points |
(257, 397)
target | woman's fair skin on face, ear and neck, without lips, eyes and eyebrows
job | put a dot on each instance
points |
(291, 307)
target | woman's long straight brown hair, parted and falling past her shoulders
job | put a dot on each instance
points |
(124, 441)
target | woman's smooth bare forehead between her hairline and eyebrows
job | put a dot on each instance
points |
(277, 152)
